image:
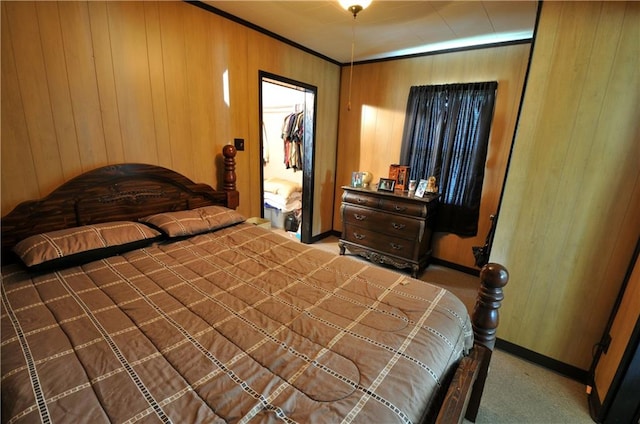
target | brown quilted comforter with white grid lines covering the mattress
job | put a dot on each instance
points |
(237, 325)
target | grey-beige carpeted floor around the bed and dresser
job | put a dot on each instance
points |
(516, 391)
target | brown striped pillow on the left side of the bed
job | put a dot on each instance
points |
(73, 246)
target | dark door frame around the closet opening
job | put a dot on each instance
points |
(308, 149)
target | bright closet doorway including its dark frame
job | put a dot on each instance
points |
(287, 138)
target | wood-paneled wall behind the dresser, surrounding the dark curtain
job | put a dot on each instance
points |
(370, 134)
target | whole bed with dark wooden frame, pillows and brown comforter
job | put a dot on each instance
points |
(131, 294)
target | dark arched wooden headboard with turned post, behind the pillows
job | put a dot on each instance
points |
(123, 192)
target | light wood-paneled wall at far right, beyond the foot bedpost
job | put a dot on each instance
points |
(569, 220)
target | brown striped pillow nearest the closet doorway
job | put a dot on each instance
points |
(194, 221)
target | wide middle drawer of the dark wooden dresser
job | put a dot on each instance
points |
(383, 222)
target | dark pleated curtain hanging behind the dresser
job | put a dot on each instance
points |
(446, 134)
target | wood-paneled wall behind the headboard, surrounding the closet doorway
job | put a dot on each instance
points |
(85, 84)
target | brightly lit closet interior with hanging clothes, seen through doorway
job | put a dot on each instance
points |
(283, 133)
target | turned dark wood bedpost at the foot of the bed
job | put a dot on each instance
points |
(485, 317)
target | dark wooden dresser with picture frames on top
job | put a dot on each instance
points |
(388, 228)
